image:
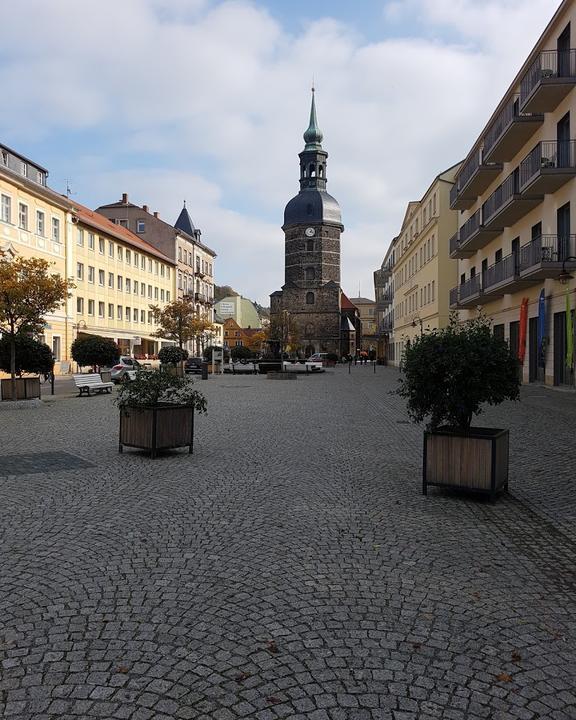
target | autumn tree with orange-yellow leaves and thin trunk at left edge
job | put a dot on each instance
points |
(28, 292)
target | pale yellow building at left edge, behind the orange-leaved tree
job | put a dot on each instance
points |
(37, 222)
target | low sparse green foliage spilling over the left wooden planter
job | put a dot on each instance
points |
(154, 387)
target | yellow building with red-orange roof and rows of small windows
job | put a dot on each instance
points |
(118, 275)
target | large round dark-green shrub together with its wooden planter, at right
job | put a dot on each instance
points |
(448, 375)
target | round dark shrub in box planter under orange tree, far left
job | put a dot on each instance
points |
(31, 357)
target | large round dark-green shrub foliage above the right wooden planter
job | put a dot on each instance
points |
(449, 373)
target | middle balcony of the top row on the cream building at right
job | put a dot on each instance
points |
(509, 132)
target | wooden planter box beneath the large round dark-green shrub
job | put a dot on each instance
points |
(476, 460)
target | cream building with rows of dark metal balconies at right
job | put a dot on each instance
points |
(516, 195)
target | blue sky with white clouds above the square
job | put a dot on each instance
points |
(207, 100)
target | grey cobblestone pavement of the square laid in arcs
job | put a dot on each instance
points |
(290, 568)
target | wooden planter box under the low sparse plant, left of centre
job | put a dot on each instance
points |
(157, 428)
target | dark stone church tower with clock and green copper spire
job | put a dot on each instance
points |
(312, 227)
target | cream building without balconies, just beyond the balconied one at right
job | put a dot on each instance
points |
(423, 271)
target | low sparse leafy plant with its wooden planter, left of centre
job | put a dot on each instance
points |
(157, 411)
